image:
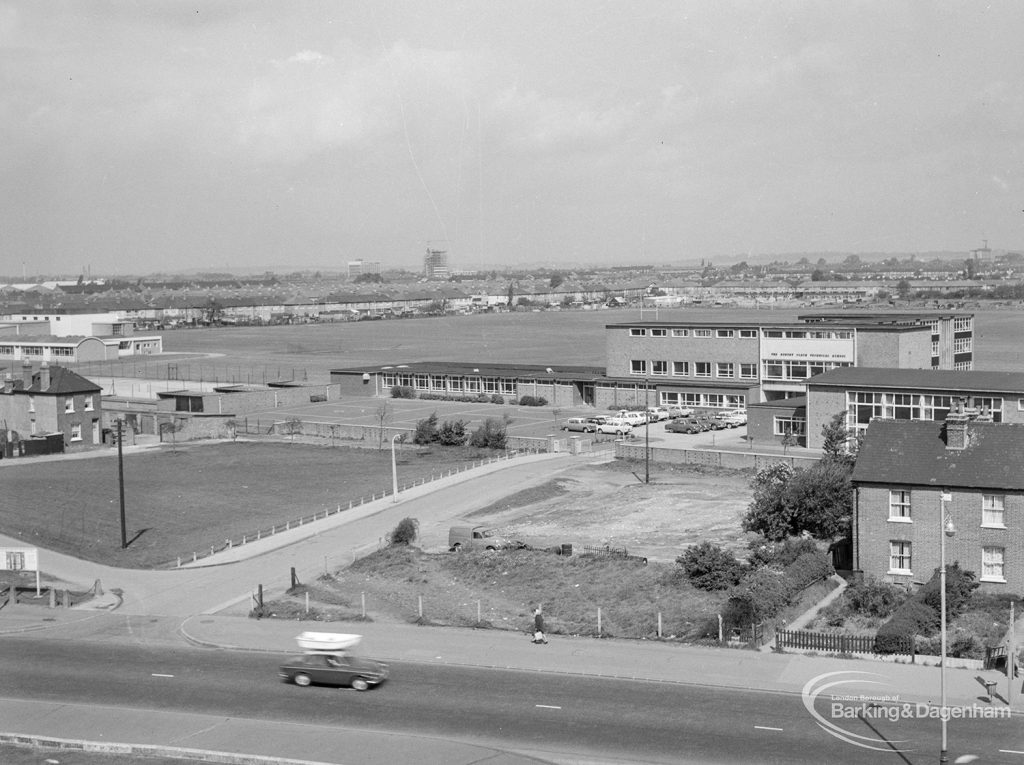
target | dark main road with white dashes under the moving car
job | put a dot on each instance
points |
(557, 718)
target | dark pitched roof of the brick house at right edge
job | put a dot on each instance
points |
(915, 454)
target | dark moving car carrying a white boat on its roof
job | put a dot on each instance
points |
(328, 662)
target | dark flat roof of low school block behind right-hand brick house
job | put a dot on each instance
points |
(960, 382)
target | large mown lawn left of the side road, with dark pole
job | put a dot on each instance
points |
(185, 500)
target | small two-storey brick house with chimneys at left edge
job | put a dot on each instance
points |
(54, 400)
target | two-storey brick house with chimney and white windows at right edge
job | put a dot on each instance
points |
(904, 470)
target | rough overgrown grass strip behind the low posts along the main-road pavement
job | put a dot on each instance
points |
(508, 586)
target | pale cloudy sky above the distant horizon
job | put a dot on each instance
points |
(142, 137)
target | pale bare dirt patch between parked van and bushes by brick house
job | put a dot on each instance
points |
(610, 505)
